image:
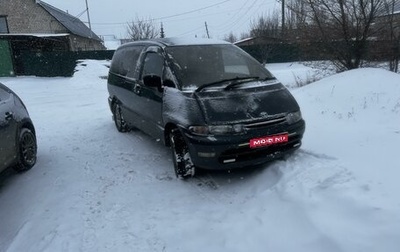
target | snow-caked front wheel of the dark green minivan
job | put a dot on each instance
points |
(183, 164)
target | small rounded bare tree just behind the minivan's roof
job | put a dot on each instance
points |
(140, 29)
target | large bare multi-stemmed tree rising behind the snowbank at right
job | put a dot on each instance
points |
(343, 27)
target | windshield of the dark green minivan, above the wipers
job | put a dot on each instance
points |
(201, 65)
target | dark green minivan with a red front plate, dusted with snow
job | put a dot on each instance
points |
(211, 102)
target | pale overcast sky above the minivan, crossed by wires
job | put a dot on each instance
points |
(179, 17)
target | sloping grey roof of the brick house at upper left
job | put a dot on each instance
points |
(71, 23)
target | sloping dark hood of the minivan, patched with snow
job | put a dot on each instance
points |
(245, 105)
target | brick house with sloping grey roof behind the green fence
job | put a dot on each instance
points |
(37, 18)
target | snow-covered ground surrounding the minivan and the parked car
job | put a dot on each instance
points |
(95, 189)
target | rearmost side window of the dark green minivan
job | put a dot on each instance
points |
(125, 61)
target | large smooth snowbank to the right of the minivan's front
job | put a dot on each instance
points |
(356, 116)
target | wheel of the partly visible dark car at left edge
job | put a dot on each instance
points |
(27, 150)
